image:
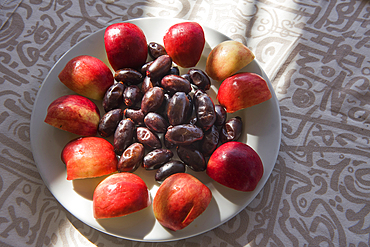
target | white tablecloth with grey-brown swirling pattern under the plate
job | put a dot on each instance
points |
(317, 56)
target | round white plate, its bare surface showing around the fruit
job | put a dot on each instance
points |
(261, 130)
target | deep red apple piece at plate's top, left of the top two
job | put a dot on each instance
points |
(125, 45)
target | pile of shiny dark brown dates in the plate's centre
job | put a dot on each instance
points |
(154, 111)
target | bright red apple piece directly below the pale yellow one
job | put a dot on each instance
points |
(242, 90)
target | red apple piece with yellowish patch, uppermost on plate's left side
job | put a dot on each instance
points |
(87, 76)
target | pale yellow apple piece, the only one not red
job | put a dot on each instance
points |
(227, 58)
